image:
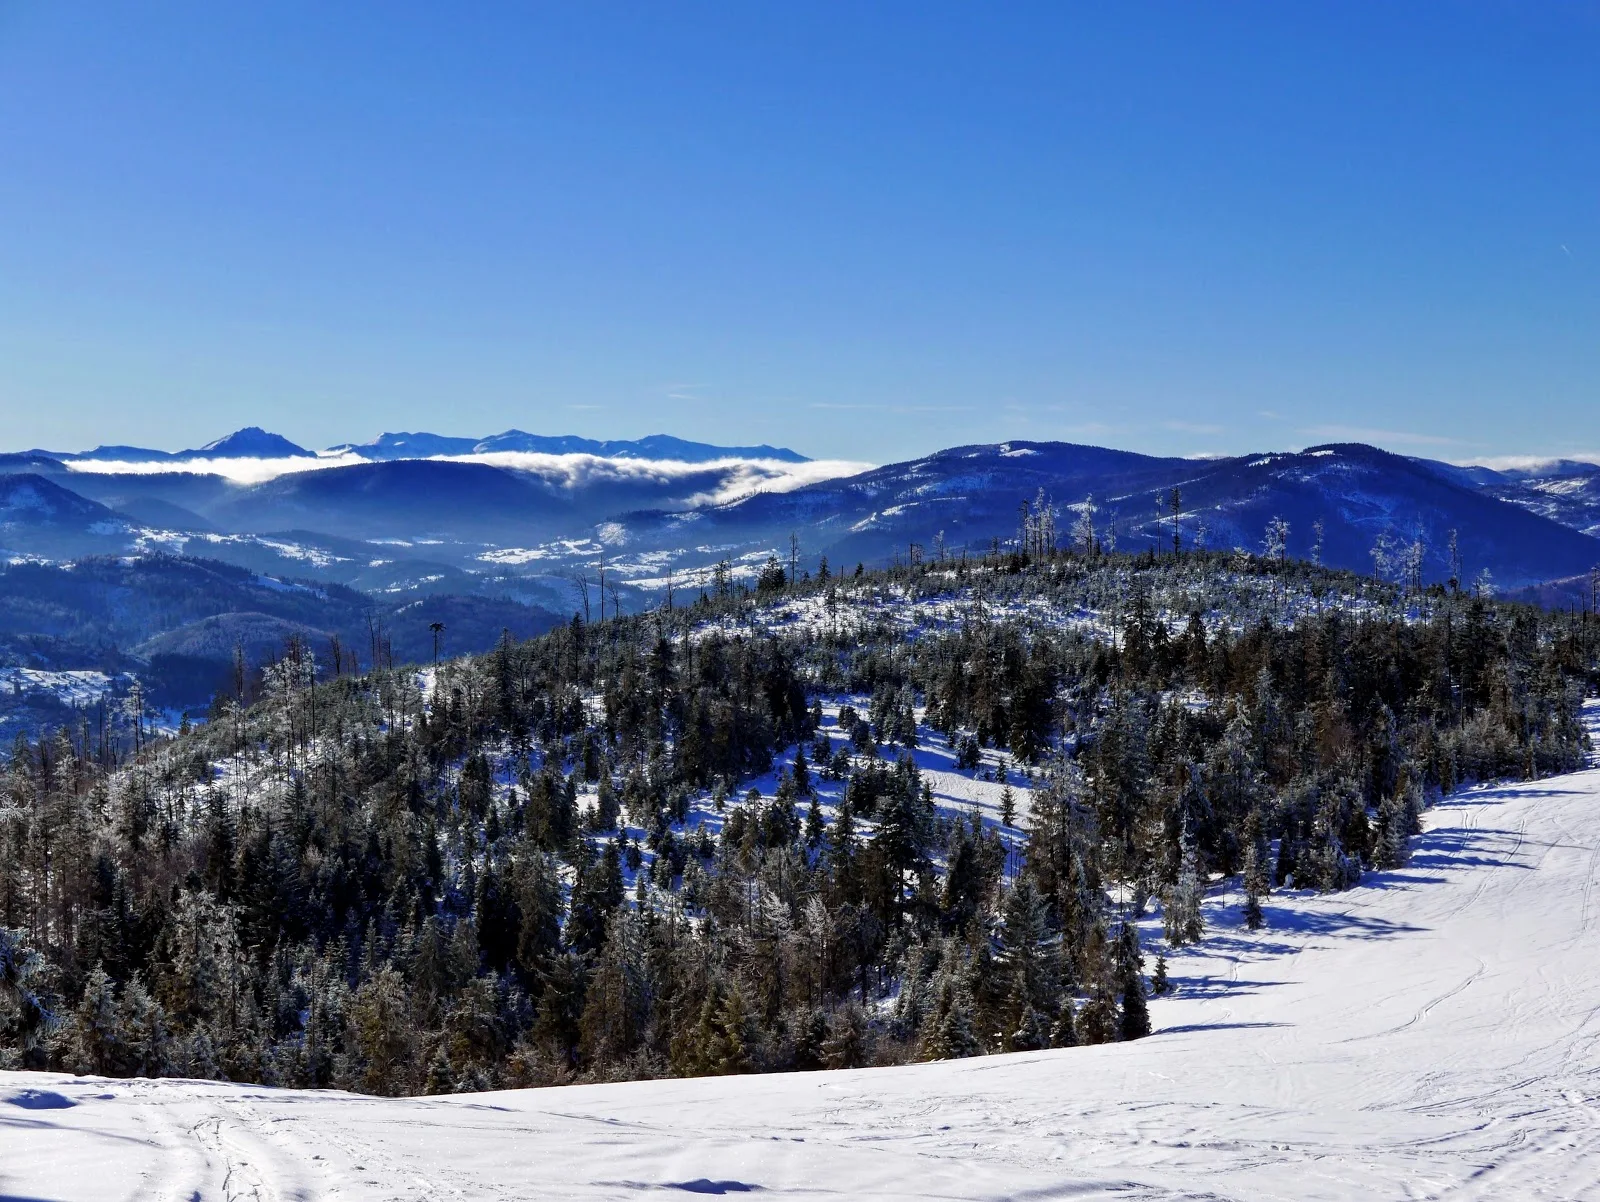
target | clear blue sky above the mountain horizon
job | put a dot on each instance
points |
(866, 231)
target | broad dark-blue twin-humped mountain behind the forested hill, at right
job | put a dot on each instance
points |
(975, 495)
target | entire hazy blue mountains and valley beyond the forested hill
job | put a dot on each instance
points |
(497, 542)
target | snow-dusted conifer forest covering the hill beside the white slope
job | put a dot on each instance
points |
(703, 841)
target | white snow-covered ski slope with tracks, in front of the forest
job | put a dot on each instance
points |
(1430, 1035)
